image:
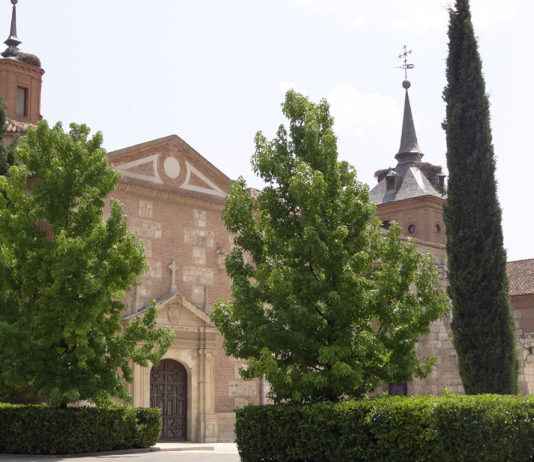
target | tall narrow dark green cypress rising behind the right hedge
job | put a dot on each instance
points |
(482, 321)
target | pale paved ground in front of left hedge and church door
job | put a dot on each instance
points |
(201, 453)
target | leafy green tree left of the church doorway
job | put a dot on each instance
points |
(63, 273)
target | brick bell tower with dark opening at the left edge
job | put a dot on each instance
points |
(21, 78)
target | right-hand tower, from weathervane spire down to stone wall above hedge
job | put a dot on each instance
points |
(413, 195)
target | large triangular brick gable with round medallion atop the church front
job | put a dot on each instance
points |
(170, 163)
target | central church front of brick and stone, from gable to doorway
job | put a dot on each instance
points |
(173, 199)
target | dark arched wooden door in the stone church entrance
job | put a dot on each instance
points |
(168, 391)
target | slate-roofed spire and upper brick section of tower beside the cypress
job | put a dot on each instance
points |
(413, 192)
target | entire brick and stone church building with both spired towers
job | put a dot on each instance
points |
(173, 198)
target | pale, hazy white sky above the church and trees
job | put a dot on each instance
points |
(215, 73)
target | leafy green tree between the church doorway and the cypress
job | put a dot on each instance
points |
(326, 305)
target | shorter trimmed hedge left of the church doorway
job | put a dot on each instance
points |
(44, 430)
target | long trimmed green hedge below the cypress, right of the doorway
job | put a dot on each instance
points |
(395, 429)
